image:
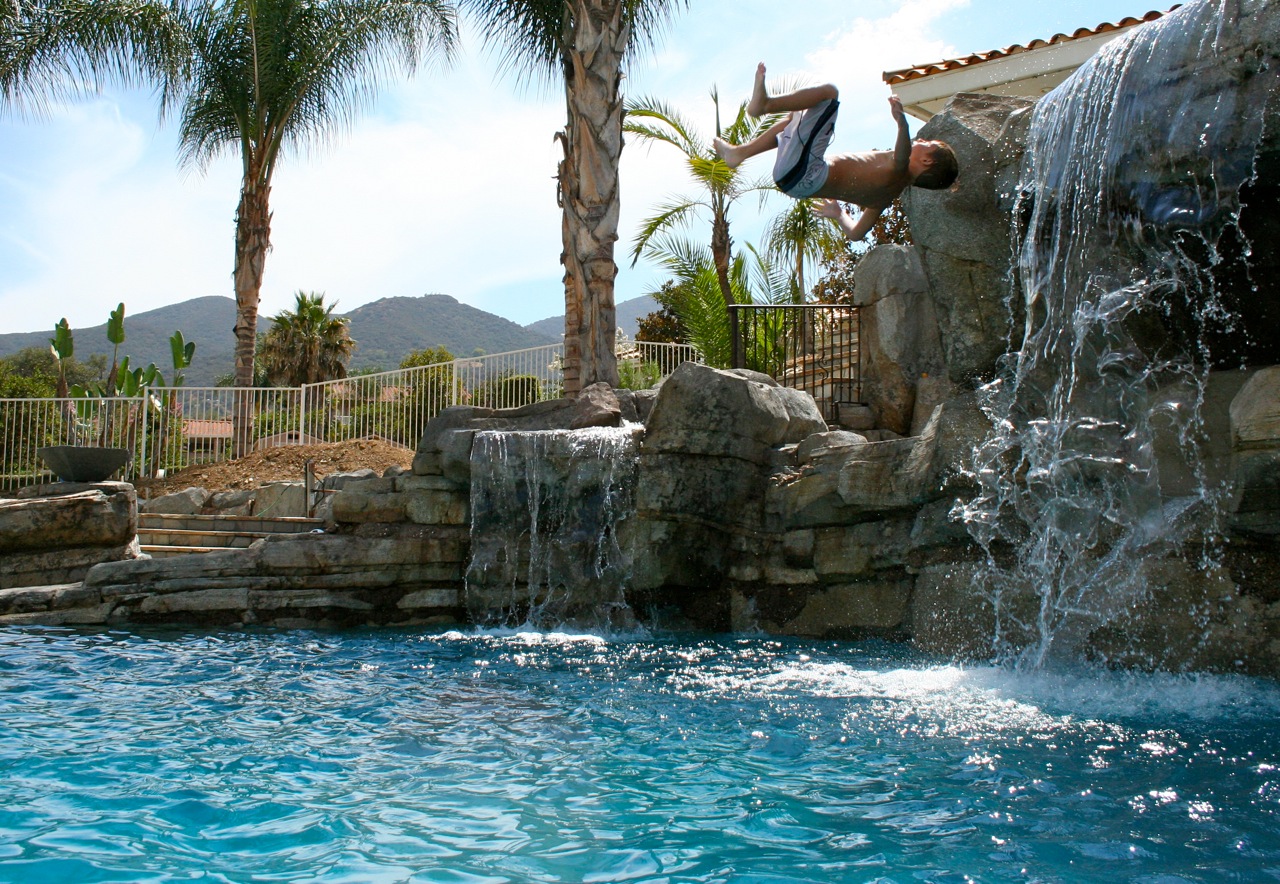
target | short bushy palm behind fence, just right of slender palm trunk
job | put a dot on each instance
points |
(308, 345)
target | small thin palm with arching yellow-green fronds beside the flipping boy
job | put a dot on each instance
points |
(720, 186)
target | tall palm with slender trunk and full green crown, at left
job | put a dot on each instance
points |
(268, 76)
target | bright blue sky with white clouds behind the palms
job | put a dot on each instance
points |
(446, 184)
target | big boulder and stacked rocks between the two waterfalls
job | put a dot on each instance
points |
(753, 516)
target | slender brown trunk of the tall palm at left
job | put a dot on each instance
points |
(253, 241)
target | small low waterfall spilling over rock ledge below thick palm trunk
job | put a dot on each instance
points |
(546, 509)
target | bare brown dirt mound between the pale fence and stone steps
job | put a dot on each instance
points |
(282, 465)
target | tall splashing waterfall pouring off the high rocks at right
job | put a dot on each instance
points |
(1131, 187)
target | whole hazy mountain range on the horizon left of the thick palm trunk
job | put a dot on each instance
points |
(385, 333)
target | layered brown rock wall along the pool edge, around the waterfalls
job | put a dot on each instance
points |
(749, 515)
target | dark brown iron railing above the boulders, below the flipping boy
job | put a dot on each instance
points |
(810, 347)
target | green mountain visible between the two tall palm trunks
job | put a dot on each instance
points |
(387, 331)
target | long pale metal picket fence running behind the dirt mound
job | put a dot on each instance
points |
(176, 428)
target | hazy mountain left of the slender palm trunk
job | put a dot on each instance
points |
(208, 322)
